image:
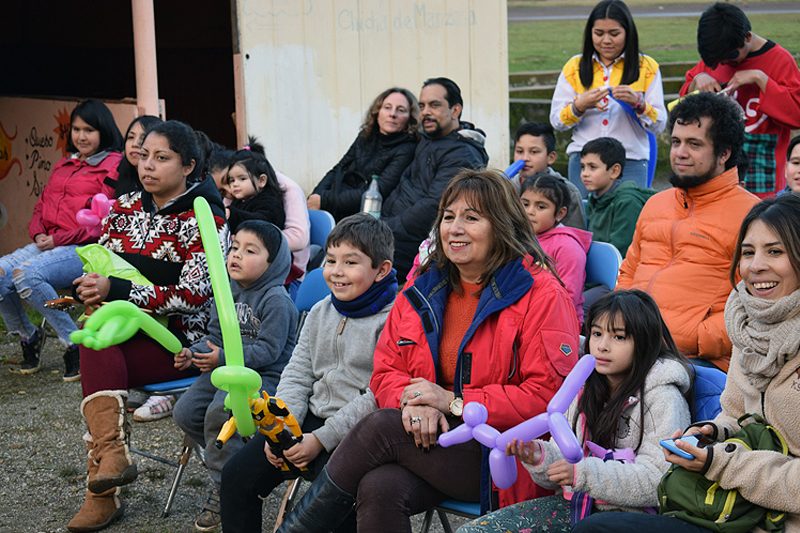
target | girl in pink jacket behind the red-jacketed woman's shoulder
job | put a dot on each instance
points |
(545, 200)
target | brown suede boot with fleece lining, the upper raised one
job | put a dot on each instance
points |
(104, 412)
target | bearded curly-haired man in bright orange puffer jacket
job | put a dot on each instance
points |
(685, 236)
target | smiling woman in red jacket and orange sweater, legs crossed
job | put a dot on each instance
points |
(484, 321)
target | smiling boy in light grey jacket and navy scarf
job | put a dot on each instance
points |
(325, 383)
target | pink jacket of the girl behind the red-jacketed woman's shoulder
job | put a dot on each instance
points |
(568, 248)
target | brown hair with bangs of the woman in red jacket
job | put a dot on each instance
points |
(493, 196)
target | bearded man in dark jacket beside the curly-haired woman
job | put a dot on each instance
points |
(447, 145)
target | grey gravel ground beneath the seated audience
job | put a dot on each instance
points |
(43, 462)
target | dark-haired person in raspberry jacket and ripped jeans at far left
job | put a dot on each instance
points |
(34, 272)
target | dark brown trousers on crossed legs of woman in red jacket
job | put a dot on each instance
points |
(392, 479)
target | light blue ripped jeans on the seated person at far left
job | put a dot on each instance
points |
(38, 275)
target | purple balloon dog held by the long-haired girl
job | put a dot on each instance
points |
(503, 467)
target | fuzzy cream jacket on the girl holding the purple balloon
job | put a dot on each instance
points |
(629, 486)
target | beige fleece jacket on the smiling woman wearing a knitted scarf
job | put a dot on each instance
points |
(763, 477)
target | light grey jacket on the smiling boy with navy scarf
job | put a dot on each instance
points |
(330, 369)
